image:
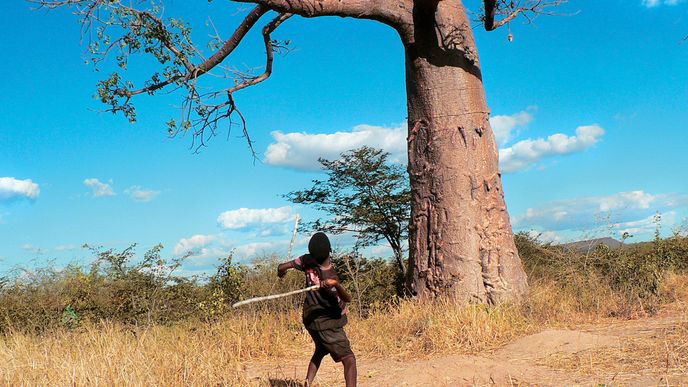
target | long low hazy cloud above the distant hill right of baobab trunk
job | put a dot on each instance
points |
(612, 211)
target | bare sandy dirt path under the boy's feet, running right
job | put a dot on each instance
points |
(526, 361)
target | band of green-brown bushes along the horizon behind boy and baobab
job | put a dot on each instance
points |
(122, 288)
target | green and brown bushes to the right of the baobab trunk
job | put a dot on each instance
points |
(616, 282)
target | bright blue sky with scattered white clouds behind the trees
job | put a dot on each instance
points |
(590, 111)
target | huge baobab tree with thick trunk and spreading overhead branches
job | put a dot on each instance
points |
(460, 237)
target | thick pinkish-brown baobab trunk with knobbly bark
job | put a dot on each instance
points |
(461, 242)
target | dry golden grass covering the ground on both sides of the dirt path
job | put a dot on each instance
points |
(214, 353)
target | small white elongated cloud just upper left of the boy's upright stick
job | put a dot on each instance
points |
(255, 217)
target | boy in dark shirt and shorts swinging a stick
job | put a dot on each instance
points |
(324, 310)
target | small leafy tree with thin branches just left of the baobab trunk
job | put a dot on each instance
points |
(364, 194)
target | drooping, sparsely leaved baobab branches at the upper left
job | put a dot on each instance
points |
(141, 30)
